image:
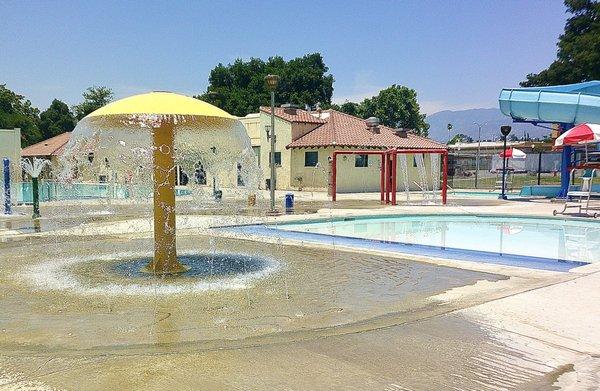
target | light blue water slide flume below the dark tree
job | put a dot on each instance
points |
(569, 103)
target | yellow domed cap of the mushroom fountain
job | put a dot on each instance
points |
(161, 103)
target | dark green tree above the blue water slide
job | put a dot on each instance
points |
(578, 57)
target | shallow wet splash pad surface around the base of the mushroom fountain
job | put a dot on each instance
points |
(83, 302)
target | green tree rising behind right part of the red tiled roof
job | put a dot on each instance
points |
(395, 106)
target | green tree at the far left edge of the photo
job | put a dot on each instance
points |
(17, 112)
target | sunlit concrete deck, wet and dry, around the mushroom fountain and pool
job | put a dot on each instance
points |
(475, 326)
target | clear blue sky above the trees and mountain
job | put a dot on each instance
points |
(455, 54)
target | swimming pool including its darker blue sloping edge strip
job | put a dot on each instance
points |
(540, 243)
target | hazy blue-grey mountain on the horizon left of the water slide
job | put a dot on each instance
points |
(462, 122)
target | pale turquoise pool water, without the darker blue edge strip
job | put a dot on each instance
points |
(536, 238)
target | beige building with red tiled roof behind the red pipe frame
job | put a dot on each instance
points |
(305, 141)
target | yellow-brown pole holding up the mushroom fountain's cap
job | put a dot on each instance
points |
(165, 253)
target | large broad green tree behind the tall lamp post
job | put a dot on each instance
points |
(239, 88)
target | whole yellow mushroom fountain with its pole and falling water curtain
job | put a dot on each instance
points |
(160, 130)
